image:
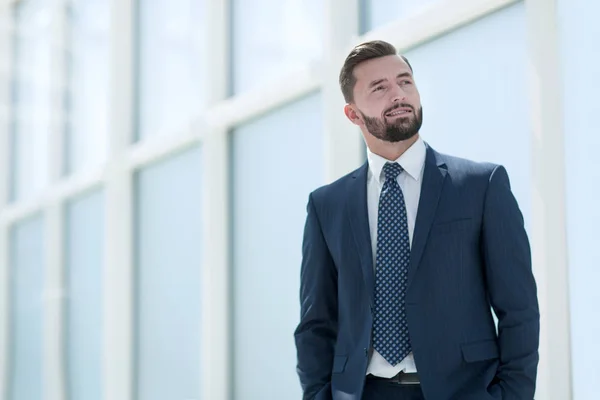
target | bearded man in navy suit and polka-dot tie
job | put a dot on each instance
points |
(404, 259)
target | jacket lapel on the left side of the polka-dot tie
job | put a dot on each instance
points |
(359, 222)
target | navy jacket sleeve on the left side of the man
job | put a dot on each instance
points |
(317, 331)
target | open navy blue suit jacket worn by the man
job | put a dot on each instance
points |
(470, 253)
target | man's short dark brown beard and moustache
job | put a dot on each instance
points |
(400, 129)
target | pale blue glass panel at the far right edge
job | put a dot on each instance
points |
(579, 38)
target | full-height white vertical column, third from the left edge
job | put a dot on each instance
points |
(118, 289)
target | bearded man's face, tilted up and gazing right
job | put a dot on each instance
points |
(386, 100)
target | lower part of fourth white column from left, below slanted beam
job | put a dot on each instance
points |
(216, 297)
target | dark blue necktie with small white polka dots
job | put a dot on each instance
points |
(390, 330)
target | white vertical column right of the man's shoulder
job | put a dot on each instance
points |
(549, 244)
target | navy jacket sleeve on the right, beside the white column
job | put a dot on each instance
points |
(512, 288)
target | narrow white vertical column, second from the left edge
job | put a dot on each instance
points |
(53, 323)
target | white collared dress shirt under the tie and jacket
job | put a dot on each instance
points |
(413, 162)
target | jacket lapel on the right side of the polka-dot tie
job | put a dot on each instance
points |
(434, 175)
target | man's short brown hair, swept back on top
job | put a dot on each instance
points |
(361, 53)
